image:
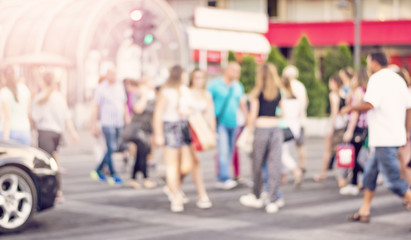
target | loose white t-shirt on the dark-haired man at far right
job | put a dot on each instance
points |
(389, 95)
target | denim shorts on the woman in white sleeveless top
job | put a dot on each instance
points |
(177, 134)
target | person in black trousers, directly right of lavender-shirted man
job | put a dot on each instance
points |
(143, 104)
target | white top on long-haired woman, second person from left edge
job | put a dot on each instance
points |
(51, 115)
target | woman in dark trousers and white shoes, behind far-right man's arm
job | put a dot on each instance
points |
(357, 129)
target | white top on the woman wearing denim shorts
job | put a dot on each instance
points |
(178, 103)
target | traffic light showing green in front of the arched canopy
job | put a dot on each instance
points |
(142, 24)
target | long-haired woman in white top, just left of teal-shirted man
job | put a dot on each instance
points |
(202, 103)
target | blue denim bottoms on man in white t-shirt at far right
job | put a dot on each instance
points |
(384, 159)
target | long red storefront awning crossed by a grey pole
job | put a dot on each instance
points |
(333, 33)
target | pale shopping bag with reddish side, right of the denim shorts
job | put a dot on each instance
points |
(202, 136)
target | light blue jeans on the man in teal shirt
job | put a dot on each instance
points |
(226, 143)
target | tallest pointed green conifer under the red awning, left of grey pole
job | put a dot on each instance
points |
(304, 60)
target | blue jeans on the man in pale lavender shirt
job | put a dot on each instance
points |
(111, 134)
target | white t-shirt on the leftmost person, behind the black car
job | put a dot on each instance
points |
(19, 118)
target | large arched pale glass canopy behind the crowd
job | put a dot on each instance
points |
(79, 38)
